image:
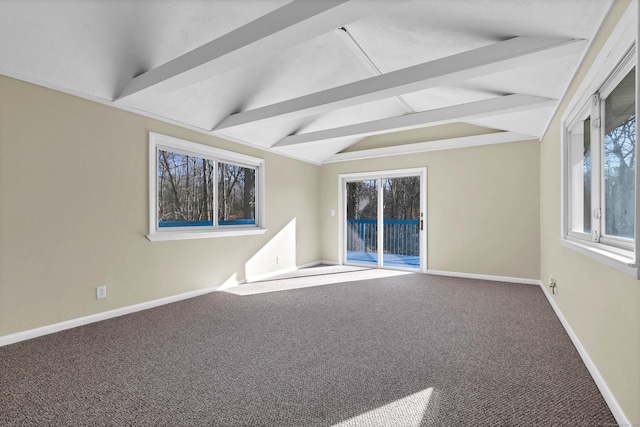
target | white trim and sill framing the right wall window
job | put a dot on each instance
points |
(622, 40)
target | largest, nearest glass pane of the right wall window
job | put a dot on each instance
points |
(619, 158)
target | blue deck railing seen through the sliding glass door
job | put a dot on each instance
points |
(401, 236)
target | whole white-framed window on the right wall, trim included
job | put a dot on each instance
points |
(600, 155)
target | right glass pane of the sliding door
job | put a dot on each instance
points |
(401, 239)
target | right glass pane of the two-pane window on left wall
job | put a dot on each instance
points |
(236, 195)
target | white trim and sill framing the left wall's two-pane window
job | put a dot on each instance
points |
(159, 141)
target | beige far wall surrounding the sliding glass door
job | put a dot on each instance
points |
(482, 213)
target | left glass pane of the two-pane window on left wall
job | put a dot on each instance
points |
(184, 190)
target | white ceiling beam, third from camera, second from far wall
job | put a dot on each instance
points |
(456, 113)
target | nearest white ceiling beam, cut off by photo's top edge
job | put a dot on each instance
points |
(287, 26)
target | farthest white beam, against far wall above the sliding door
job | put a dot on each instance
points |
(422, 147)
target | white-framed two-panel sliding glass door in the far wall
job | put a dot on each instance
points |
(384, 219)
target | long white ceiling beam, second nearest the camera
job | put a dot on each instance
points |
(512, 53)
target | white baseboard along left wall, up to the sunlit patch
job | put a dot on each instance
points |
(68, 324)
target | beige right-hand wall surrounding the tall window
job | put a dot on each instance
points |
(600, 304)
